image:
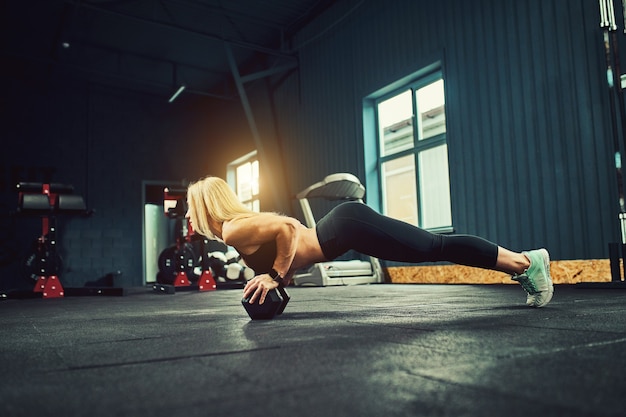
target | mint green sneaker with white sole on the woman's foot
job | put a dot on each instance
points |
(536, 280)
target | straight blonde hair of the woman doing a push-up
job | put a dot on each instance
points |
(211, 198)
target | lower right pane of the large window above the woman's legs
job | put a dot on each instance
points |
(435, 187)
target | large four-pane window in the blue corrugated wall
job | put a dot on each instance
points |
(412, 153)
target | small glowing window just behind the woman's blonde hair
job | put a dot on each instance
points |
(243, 176)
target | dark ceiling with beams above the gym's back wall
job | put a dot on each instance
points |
(155, 46)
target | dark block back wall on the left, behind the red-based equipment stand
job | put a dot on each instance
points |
(105, 142)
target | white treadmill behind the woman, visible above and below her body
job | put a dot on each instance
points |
(336, 187)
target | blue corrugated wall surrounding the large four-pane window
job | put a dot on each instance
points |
(527, 110)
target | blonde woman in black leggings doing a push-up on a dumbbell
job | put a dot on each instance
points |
(276, 246)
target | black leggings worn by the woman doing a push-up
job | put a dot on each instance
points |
(356, 226)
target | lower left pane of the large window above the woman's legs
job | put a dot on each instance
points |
(400, 197)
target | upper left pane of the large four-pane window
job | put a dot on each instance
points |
(395, 121)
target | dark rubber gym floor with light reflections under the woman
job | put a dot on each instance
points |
(371, 350)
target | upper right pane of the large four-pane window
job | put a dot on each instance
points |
(430, 104)
